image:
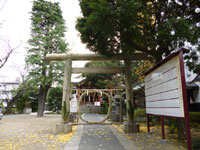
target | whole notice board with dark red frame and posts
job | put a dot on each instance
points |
(165, 91)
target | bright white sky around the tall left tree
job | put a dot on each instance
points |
(15, 30)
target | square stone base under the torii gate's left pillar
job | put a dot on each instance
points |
(63, 128)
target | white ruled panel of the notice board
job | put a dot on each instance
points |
(163, 90)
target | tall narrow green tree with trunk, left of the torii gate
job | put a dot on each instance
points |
(47, 36)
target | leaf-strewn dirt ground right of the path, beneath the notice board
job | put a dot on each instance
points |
(152, 141)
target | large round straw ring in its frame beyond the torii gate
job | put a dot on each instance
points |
(97, 101)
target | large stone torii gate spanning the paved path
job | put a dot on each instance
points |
(68, 58)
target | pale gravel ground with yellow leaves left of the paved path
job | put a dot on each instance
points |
(28, 132)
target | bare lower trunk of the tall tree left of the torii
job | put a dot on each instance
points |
(42, 98)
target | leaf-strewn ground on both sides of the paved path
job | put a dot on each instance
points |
(28, 132)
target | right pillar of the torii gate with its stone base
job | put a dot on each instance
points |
(130, 126)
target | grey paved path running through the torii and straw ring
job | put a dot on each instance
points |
(98, 137)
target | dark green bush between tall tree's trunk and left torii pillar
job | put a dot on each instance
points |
(54, 99)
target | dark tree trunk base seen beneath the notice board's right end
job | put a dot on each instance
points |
(181, 129)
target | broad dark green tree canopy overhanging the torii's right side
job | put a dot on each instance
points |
(149, 26)
